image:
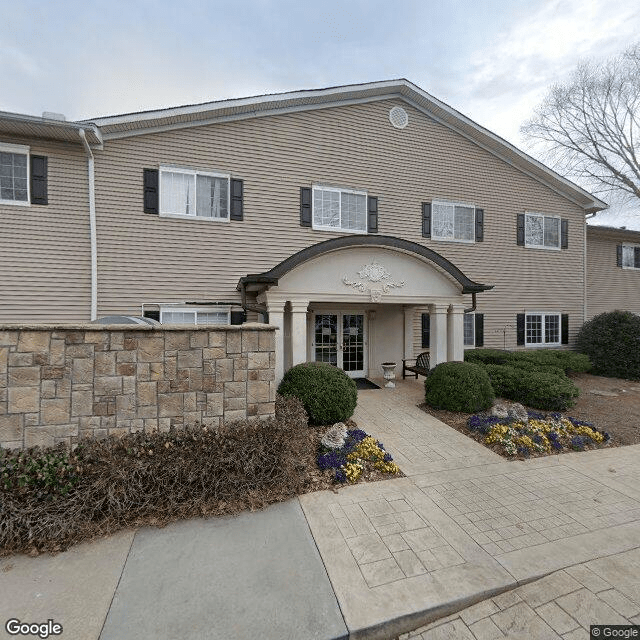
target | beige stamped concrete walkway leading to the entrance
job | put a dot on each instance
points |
(465, 524)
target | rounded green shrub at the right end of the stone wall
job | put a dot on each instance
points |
(328, 394)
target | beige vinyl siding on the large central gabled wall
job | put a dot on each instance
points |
(146, 258)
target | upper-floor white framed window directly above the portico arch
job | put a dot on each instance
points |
(339, 209)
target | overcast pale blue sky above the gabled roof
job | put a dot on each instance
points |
(493, 60)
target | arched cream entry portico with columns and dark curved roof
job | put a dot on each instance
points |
(351, 301)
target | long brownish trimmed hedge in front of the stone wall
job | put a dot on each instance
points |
(52, 498)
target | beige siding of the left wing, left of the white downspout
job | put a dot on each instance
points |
(45, 249)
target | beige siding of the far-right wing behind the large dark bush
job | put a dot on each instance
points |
(610, 287)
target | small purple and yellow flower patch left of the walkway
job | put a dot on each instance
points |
(360, 457)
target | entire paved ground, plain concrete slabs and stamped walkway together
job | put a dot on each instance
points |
(453, 550)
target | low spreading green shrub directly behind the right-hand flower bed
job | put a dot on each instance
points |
(548, 389)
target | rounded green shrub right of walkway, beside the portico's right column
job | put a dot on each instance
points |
(459, 386)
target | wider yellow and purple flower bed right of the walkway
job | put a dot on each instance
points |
(541, 434)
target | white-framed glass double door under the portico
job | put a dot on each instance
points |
(339, 339)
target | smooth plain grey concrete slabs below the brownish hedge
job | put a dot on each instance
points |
(258, 575)
